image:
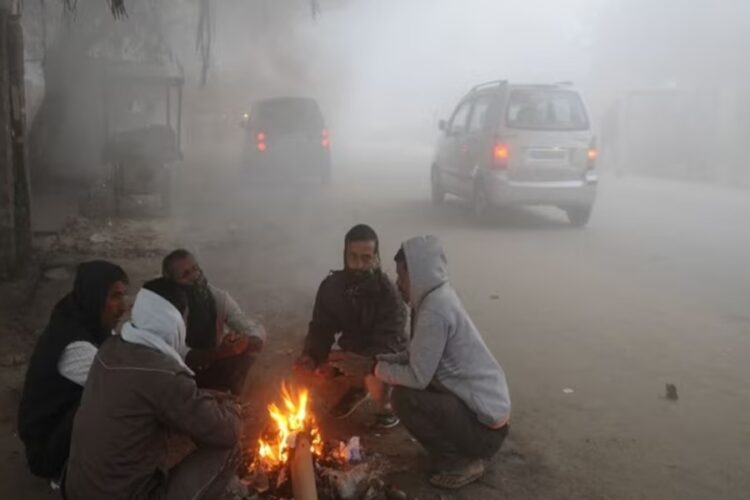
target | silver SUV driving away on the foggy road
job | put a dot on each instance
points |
(508, 144)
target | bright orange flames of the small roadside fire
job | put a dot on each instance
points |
(289, 421)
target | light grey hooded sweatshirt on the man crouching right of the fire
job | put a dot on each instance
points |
(445, 345)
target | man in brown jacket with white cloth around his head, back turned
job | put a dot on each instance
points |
(139, 390)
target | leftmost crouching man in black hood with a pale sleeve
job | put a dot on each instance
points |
(59, 365)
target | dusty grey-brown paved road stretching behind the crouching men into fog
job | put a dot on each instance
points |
(654, 291)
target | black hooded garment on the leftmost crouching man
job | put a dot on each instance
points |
(47, 395)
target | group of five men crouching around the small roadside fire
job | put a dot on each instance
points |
(100, 403)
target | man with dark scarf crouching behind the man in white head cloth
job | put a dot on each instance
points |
(222, 339)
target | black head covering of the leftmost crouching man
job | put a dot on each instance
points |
(92, 283)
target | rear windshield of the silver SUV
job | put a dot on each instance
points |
(546, 109)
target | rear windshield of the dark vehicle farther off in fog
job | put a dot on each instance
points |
(288, 115)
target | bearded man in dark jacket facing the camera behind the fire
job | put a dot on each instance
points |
(362, 305)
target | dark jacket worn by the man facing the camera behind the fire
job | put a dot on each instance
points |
(369, 314)
